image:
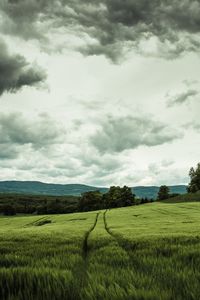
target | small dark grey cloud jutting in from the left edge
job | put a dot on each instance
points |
(16, 72)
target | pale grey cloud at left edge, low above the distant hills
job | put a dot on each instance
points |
(16, 131)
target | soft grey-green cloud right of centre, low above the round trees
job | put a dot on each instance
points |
(119, 134)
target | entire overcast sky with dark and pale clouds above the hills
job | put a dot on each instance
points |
(99, 92)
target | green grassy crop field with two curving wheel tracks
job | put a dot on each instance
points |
(149, 251)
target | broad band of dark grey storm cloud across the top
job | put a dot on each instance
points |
(113, 24)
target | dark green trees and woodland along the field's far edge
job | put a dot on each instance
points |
(11, 204)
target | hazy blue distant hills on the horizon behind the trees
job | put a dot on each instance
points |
(40, 188)
